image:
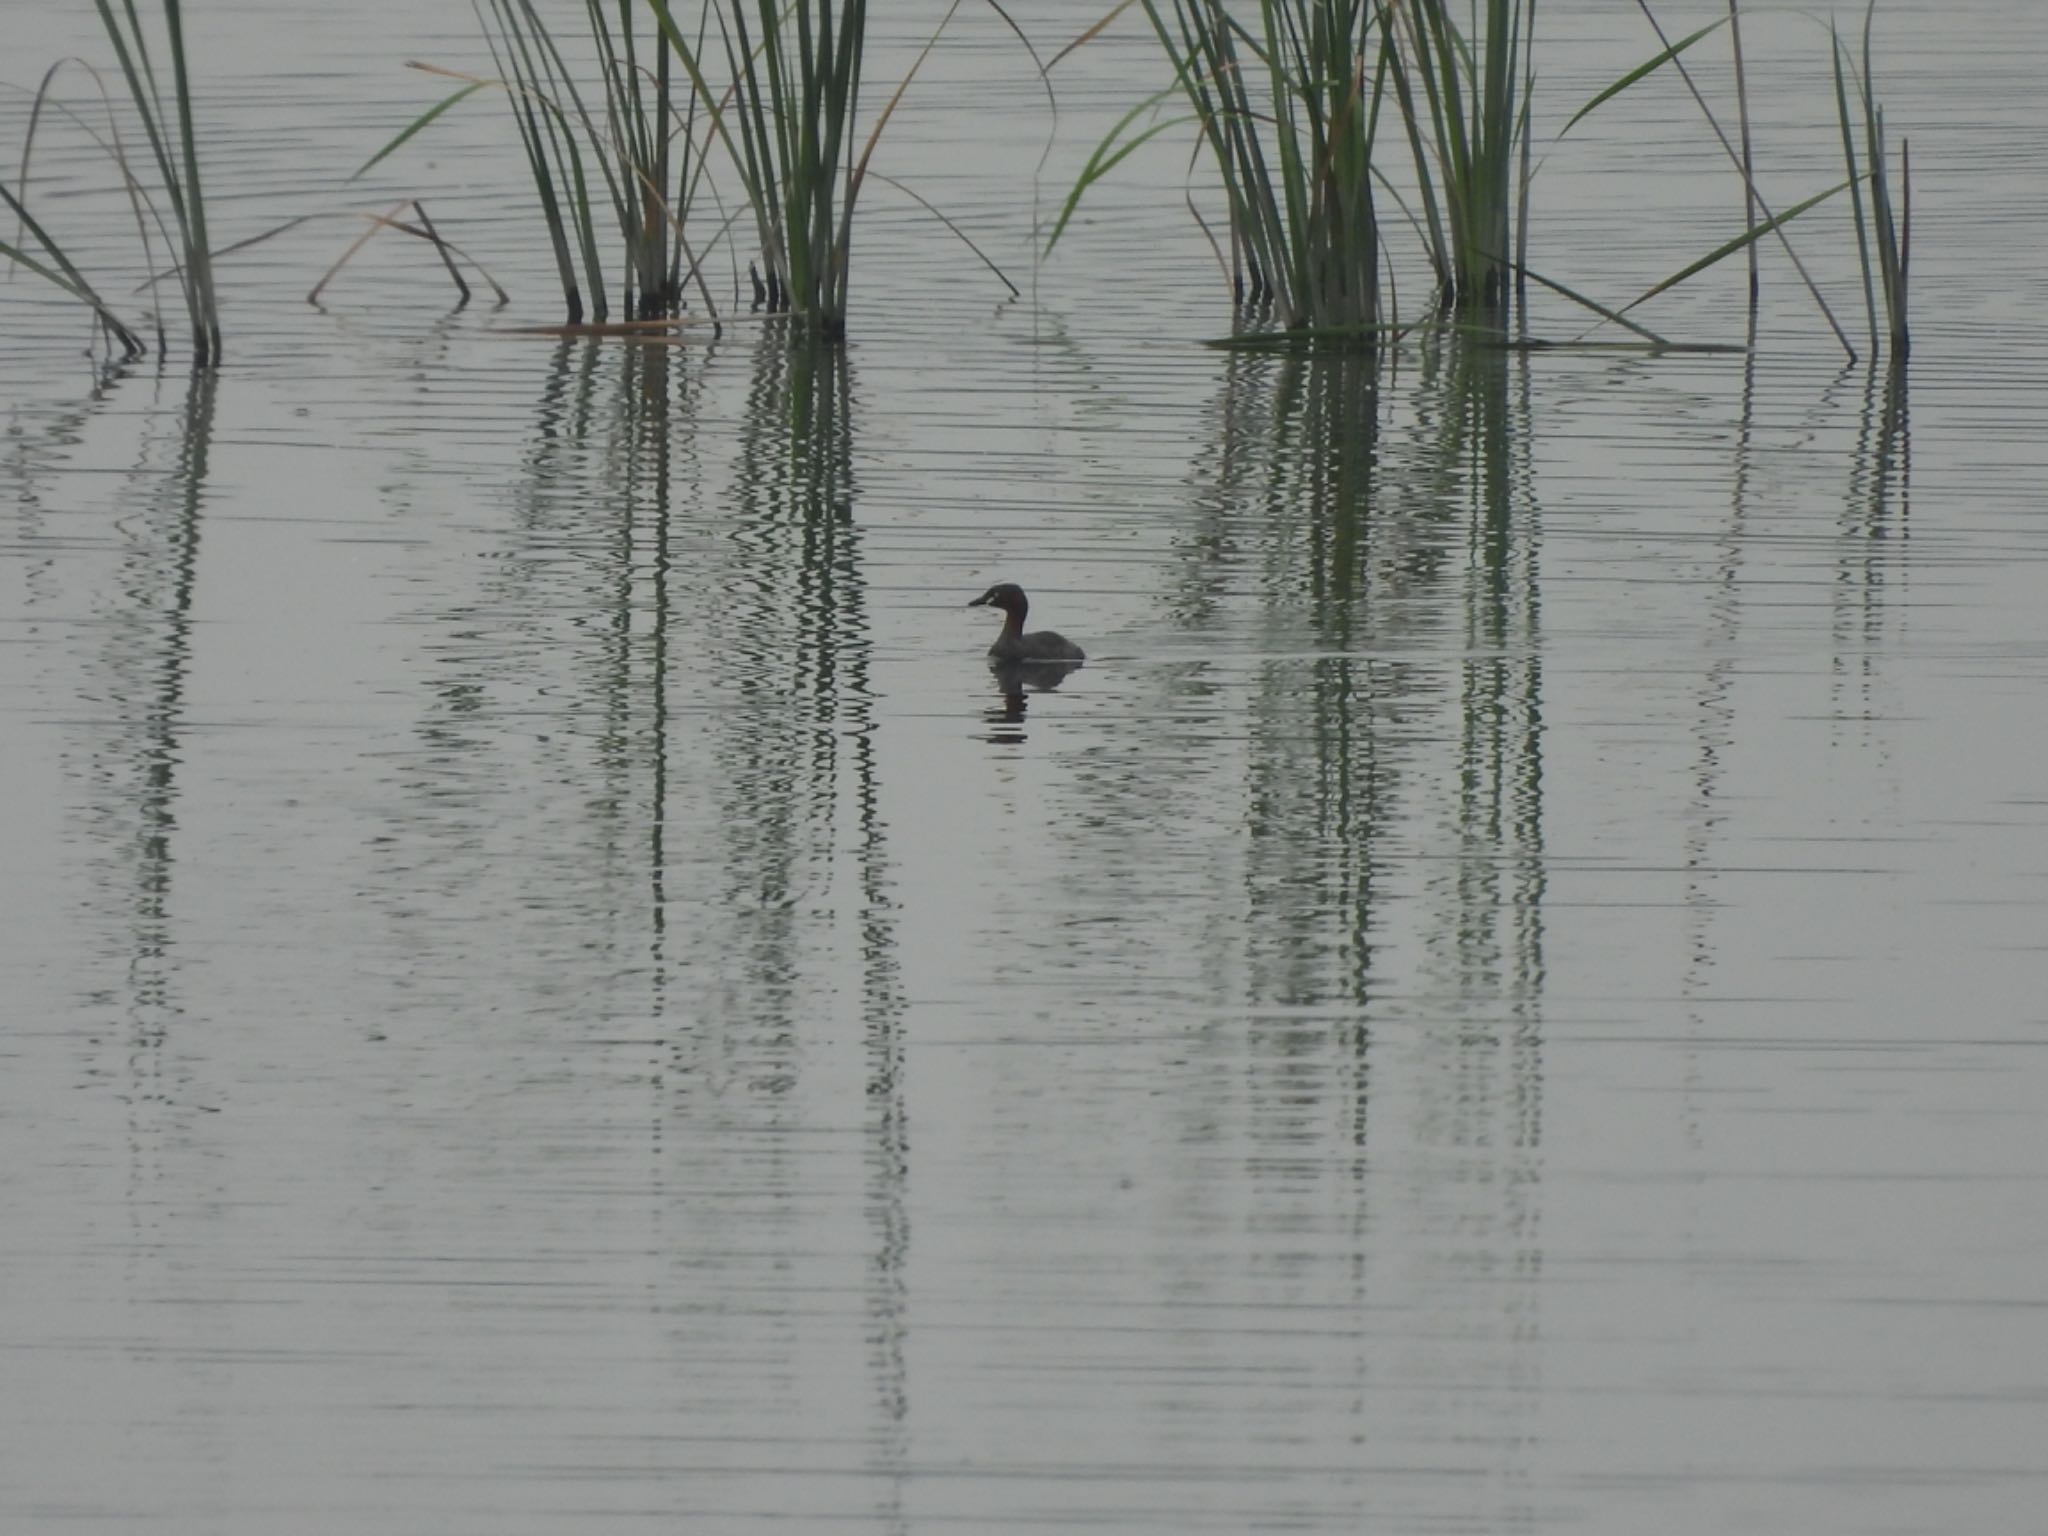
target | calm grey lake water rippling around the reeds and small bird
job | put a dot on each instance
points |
(550, 990)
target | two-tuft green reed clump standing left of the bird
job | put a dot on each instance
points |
(783, 118)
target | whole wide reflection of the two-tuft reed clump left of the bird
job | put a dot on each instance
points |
(646, 794)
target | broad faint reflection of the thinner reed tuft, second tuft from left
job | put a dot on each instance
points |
(544, 738)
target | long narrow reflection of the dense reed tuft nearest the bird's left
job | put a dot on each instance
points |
(806, 873)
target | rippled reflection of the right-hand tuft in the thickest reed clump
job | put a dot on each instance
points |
(1453, 558)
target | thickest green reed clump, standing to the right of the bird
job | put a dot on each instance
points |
(1297, 155)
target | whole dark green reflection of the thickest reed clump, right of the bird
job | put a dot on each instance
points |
(1392, 865)
